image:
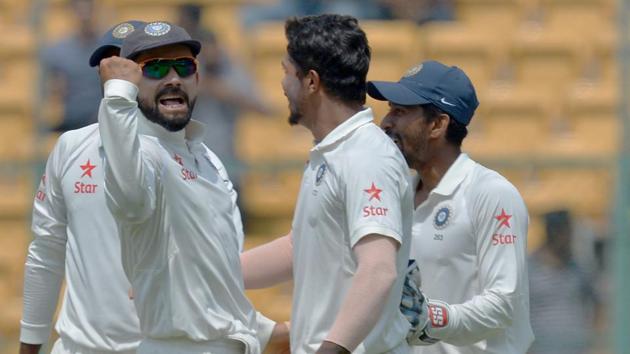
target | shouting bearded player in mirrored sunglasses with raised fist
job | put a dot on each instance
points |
(178, 220)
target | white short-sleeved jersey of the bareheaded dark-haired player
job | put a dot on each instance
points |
(354, 185)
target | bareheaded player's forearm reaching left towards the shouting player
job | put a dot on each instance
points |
(269, 264)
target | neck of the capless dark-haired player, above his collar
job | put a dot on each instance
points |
(329, 115)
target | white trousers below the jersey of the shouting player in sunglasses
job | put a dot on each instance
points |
(186, 346)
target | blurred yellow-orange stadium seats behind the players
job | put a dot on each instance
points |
(546, 73)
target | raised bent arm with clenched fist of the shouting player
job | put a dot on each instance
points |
(130, 171)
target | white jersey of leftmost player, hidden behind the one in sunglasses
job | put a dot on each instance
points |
(74, 231)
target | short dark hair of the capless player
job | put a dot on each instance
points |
(336, 48)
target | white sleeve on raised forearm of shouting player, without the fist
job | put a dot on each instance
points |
(125, 177)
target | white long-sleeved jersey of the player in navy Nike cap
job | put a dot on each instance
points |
(470, 241)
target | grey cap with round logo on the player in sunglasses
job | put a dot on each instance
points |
(155, 35)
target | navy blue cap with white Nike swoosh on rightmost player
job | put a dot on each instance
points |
(446, 87)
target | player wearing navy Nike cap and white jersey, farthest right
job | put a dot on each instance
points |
(470, 223)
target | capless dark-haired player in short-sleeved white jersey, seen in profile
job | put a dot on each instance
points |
(349, 246)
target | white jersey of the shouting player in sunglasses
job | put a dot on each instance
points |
(180, 238)
